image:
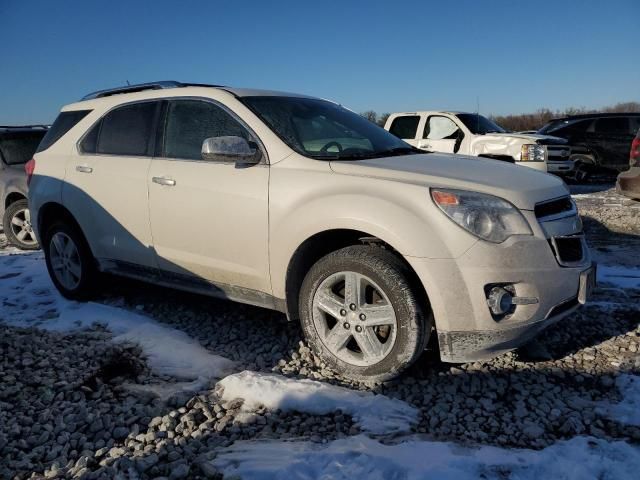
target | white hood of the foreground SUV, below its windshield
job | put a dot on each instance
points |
(522, 186)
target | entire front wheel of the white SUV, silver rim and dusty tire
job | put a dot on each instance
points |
(360, 314)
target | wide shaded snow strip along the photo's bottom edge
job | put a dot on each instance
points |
(581, 458)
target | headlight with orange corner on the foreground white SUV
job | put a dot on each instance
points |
(488, 217)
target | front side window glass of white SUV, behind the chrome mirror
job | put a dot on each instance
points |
(190, 122)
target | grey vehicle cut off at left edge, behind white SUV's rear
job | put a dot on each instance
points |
(17, 146)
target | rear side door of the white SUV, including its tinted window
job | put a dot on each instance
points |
(108, 178)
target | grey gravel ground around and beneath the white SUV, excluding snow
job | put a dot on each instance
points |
(67, 408)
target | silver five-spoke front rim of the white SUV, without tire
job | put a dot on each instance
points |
(354, 318)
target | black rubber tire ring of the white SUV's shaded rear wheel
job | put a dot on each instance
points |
(88, 272)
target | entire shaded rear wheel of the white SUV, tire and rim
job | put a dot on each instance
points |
(69, 261)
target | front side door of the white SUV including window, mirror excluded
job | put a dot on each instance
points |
(209, 220)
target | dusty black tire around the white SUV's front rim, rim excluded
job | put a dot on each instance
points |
(414, 320)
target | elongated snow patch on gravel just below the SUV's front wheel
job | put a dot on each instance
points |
(376, 414)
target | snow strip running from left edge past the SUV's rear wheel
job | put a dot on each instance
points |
(29, 299)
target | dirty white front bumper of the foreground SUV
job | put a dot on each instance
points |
(467, 331)
